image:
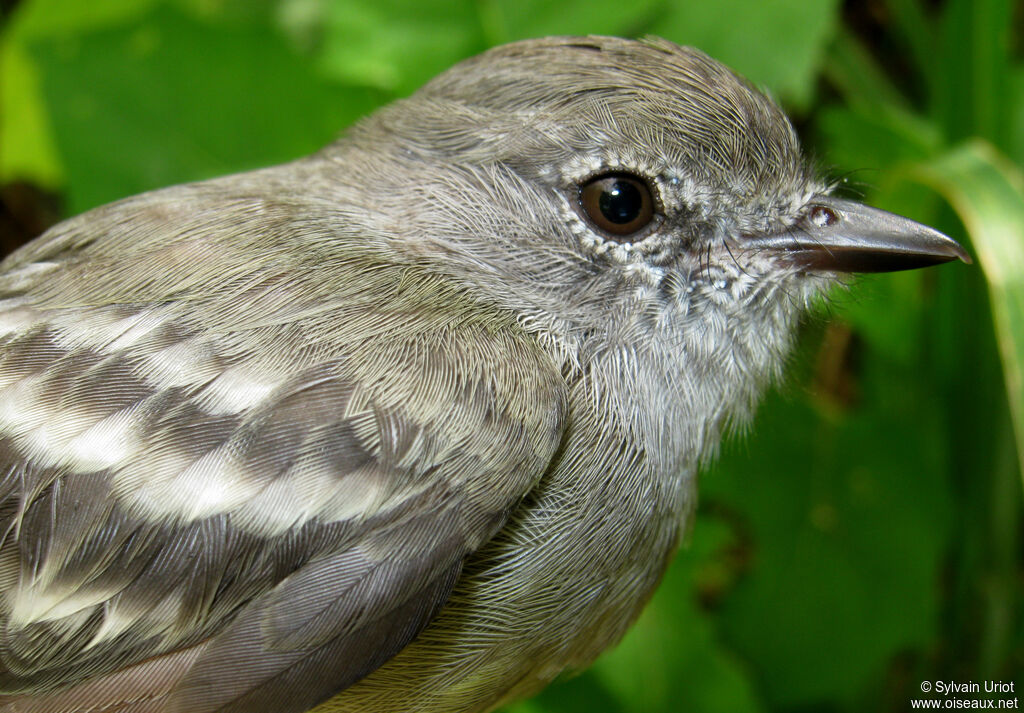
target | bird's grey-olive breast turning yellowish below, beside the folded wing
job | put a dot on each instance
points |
(561, 583)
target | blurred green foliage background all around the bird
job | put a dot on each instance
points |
(867, 535)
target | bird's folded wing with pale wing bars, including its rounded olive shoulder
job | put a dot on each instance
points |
(253, 485)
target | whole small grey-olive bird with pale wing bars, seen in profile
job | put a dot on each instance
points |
(412, 425)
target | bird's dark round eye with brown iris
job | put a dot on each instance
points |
(619, 204)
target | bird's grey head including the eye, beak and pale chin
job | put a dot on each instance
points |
(634, 196)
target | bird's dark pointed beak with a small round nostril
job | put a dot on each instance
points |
(841, 236)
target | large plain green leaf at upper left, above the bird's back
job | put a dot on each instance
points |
(168, 98)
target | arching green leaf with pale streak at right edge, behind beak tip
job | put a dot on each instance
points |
(988, 192)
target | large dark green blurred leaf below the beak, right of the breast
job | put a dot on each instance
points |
(847, 512)
